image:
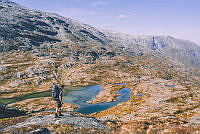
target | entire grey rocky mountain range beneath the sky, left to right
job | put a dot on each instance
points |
(25, 29)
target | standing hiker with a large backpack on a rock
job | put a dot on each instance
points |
(57, 97)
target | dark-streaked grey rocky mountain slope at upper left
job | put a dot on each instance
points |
(23, 28)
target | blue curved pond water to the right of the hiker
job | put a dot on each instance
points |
(80, 99)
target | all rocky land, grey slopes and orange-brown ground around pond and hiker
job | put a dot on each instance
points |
(37, 48)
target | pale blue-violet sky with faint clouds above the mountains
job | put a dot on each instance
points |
(177, 18)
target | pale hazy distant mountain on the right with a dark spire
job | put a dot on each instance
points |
(184, 51)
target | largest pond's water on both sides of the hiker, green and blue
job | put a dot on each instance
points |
(79, 97)
